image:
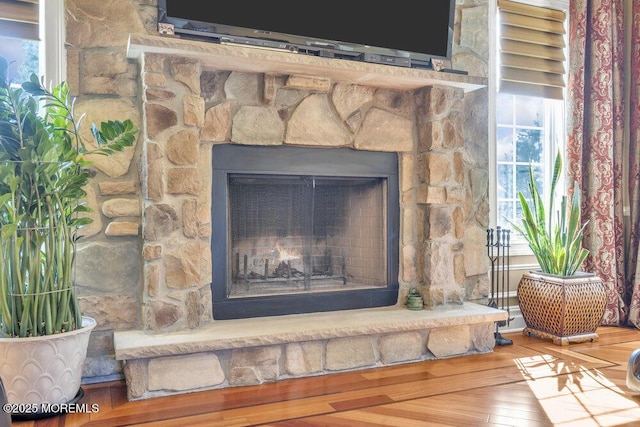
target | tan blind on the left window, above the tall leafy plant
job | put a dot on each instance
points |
(19, 18)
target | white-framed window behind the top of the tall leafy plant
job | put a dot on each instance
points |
(35, 44)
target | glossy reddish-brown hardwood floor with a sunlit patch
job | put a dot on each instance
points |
(529, 383)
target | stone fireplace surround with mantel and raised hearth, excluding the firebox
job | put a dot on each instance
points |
(198, 94)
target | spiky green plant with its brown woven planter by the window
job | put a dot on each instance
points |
(559, 301)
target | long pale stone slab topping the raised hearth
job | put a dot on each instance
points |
(242, 333)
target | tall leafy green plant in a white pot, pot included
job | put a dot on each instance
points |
(43, 172)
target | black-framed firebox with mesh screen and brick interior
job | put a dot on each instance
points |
(299, 230)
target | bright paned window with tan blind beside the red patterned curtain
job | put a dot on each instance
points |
(528, 126)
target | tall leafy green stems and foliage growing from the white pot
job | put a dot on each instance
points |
(43, 170)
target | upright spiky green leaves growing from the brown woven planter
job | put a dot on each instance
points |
(556, 240)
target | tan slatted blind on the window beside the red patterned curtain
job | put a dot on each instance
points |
(532, 43)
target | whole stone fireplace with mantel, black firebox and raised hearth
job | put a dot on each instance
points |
(200, 99)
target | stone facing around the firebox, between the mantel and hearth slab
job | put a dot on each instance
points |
(425, 128)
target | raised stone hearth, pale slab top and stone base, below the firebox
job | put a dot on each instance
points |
(241, 352)
